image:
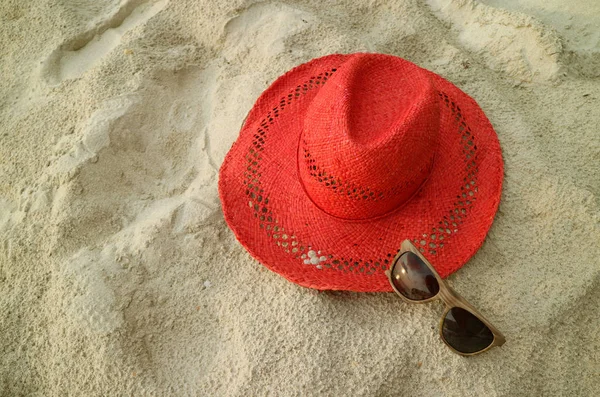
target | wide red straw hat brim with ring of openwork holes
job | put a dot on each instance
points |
(266, 206)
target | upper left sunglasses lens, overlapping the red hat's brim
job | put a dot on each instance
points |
(413, 279)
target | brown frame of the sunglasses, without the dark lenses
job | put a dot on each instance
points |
(450, 298)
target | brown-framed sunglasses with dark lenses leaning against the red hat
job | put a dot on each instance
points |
(462, 327)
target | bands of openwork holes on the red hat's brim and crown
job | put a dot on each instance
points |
(427, 243)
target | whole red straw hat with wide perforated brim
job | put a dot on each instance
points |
(345, 156)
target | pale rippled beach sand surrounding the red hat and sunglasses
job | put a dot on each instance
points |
(118, 275)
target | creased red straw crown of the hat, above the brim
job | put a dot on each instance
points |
(369, 137)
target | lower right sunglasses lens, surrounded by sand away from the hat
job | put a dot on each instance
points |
(465, 332)
